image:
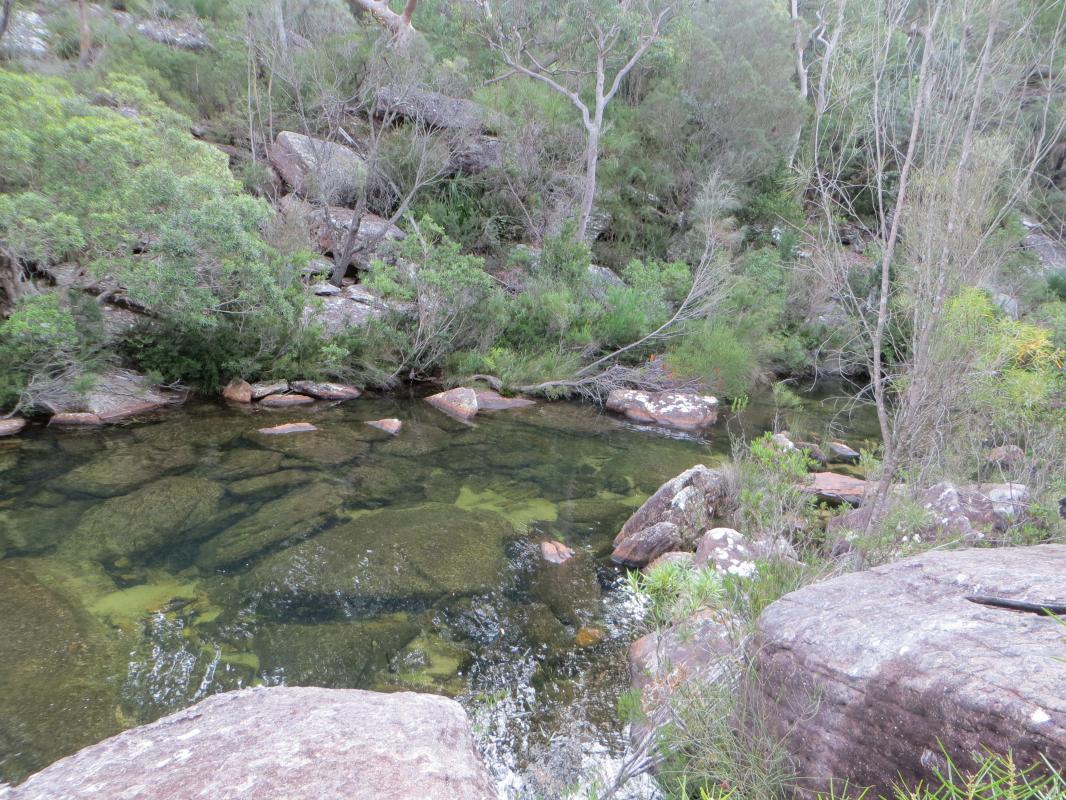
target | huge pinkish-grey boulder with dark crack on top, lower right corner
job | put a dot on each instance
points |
(870, 676)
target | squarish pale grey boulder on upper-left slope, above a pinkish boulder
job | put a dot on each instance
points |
(321, 171)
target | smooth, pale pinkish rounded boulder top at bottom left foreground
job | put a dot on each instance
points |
(299, 744)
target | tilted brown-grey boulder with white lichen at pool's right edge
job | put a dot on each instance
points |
(686, 503)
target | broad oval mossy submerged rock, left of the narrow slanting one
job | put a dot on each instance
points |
(163, 515)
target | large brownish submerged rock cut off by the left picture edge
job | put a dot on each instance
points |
(60, 673)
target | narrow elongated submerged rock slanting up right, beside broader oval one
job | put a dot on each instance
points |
(297, 515)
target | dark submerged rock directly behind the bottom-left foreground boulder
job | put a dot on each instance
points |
(340, 654)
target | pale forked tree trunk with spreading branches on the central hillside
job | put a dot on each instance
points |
(607, 41)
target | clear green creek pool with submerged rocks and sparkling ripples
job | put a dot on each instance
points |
(143, 568)
